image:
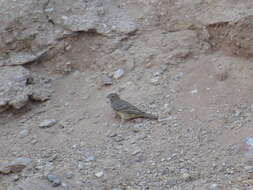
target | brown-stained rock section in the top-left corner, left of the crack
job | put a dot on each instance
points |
(25, 32)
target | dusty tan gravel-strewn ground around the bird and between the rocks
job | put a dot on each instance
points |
(202, 95)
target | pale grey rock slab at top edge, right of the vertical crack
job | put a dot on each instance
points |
(101, 16)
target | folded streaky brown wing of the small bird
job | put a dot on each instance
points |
(124, 106)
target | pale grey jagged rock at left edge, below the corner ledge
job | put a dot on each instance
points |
(18, 85)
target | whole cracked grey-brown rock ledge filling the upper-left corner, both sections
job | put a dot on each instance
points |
(30, 28)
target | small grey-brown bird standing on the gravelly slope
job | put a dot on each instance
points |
(127, 111)
